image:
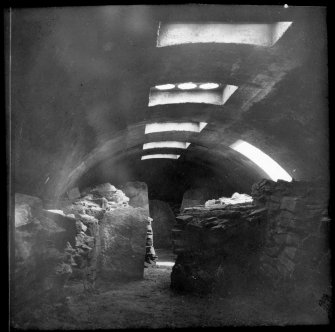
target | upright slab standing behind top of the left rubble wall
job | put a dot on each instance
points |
(138, 194)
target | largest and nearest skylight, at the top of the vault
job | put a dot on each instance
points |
(259, 34)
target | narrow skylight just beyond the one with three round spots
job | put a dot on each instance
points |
(174, 126)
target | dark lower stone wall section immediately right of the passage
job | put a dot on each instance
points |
(217, 248)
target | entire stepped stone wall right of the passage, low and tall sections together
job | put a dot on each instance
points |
(279, 241)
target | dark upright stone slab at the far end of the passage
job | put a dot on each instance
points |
(162, 224)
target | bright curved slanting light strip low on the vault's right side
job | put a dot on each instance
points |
(267, 164)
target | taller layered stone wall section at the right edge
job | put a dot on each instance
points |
(296, 254)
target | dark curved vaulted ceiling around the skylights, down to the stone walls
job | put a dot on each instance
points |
(81, 79)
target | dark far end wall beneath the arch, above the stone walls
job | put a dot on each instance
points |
(166, 182)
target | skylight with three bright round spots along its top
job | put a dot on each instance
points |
(207, 93)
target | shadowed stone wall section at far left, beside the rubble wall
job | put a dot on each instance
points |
(42, 265)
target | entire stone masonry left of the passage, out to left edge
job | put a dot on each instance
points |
(93, 236)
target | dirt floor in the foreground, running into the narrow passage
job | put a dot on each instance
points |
(149, 303)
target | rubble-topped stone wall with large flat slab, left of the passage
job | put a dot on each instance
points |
(110, 235)
